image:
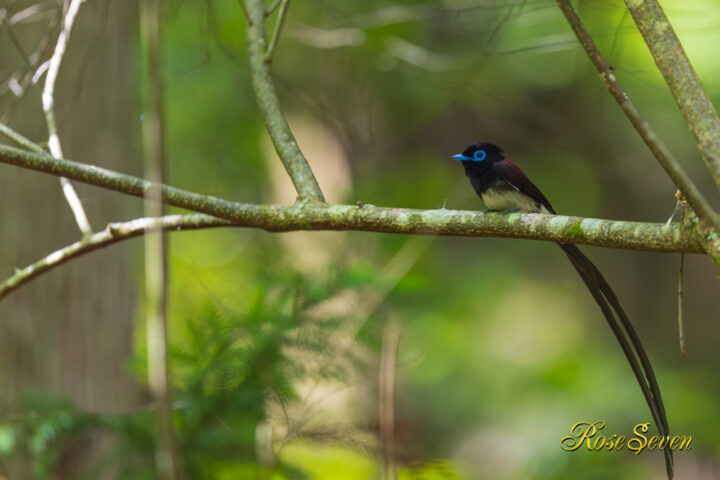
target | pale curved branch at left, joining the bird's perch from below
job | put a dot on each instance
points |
(113, 233)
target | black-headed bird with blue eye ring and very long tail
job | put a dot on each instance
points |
(504, 187)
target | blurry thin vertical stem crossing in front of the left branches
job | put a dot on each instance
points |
(166, 457)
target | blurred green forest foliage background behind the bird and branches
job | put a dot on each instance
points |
(502, 349)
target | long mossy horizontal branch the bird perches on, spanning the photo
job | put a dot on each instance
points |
(315, 216)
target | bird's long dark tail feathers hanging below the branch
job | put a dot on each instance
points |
(624, 331)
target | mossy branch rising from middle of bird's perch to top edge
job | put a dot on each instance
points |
(280, 134)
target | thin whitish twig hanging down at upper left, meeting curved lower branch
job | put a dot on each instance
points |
(48, 100)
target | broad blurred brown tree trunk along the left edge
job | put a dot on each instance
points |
(71, 332)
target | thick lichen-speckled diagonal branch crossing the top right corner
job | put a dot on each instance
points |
(679, 74)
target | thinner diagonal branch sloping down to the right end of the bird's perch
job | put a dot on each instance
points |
(671, 166)
